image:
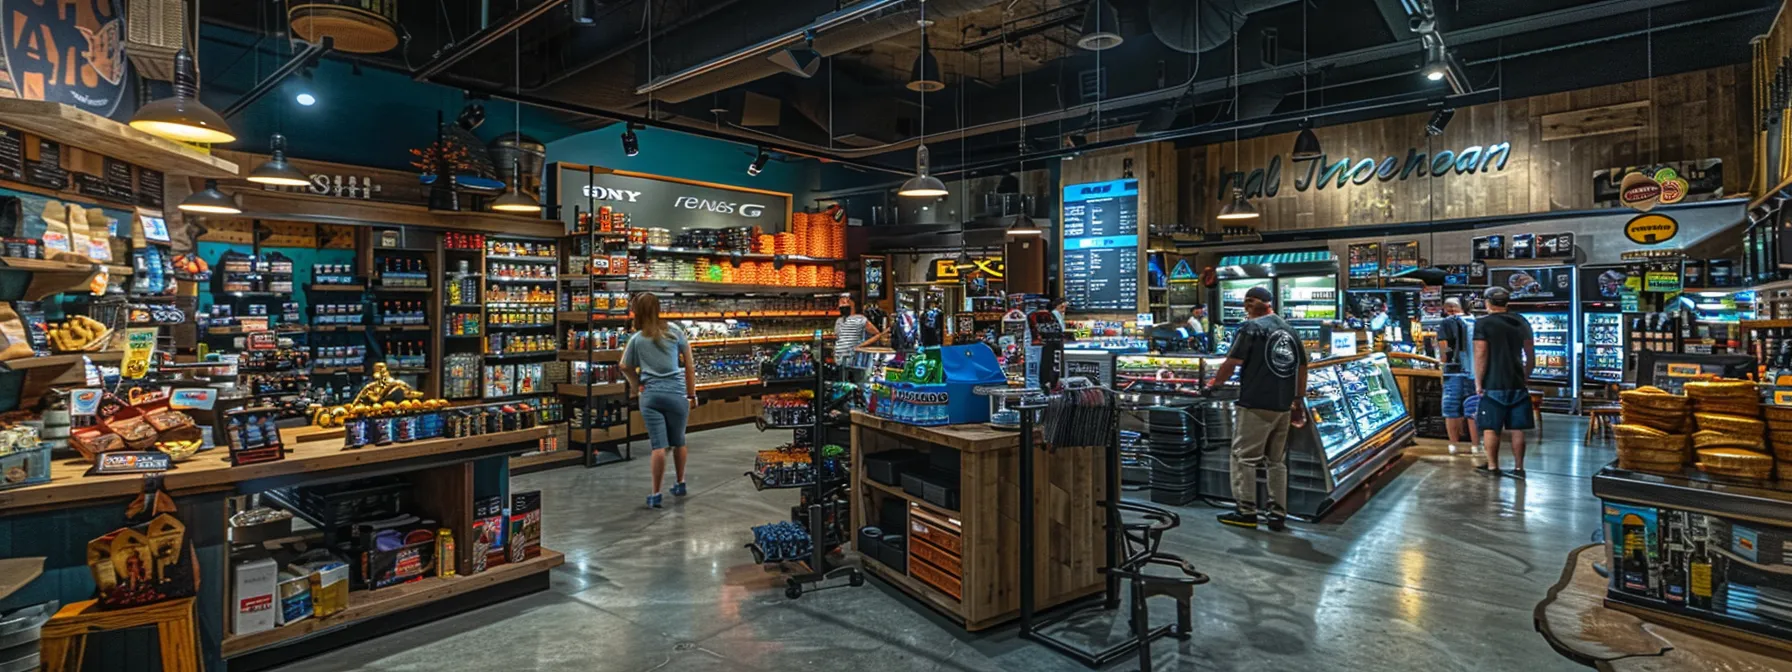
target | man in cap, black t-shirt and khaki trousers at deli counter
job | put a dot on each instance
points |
(1271, 401)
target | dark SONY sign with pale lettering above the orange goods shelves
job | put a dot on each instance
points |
(669, 205)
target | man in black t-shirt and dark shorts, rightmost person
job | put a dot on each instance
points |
(1504, 350)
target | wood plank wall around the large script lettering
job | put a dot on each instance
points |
(1696, 116)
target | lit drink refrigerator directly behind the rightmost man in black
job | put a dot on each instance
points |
(1546, 297)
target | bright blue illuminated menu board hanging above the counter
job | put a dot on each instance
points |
(1101, 246)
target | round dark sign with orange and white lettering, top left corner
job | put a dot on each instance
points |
(69, 51)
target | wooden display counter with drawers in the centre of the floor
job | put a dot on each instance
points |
(967, 562)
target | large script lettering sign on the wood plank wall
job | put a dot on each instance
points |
(1322, 171)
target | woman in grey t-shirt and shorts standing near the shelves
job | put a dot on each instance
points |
(657, 363)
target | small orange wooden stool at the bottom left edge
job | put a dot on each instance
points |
(65, 637)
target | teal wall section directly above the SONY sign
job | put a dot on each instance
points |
(678, 155)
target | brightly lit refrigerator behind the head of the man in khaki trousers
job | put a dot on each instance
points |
(1305, 286)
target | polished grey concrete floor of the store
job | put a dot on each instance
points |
(1438, 571)
